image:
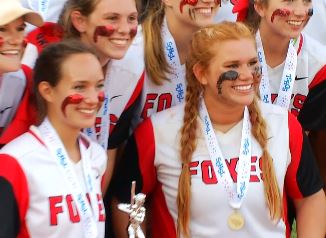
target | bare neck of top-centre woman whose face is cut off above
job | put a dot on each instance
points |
(182, 34)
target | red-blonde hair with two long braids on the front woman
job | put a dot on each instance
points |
(201, 53)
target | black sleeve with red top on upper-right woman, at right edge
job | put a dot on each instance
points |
(313, 113)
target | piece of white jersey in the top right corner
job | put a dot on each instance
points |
(316, 27)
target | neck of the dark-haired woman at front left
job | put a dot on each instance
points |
(68, 136)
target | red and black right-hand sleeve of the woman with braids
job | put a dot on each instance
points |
(302, 178)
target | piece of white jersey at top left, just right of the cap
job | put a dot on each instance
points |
(49, 9)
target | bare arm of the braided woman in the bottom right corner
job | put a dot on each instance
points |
(311, 215)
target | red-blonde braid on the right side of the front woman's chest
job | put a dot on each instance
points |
(271, 189)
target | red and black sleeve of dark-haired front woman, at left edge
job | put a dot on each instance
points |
(13, 198)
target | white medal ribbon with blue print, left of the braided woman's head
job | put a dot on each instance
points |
(177, 74)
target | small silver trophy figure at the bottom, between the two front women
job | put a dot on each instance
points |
(136, 212)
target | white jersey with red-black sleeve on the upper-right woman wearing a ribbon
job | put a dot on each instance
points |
(310, 78)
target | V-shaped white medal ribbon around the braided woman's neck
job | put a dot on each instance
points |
(235, 195)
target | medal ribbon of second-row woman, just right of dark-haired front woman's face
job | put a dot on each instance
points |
(103, 113)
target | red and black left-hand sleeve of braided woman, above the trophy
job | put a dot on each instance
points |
(136, 164)
